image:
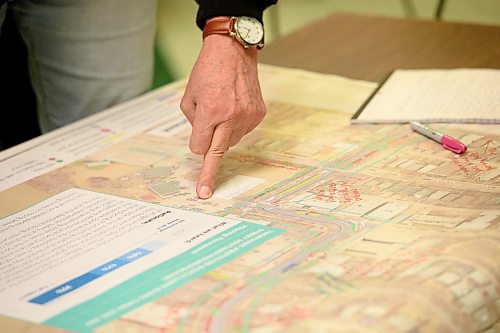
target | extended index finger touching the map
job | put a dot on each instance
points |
(212, 160)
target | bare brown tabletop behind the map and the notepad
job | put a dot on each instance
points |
(369, 48)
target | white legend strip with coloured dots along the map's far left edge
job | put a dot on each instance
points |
(91, 134)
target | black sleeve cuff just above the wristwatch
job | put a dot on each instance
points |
(212, 8)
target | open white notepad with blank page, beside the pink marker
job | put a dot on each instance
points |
(467, 95)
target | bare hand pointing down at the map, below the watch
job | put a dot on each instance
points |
(222, 101)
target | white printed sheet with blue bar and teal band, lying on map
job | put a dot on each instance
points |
(84, 258)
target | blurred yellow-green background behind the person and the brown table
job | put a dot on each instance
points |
(179, 40)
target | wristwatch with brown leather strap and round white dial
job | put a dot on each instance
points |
(248, 31)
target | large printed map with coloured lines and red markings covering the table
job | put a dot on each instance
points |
(385, 231)
